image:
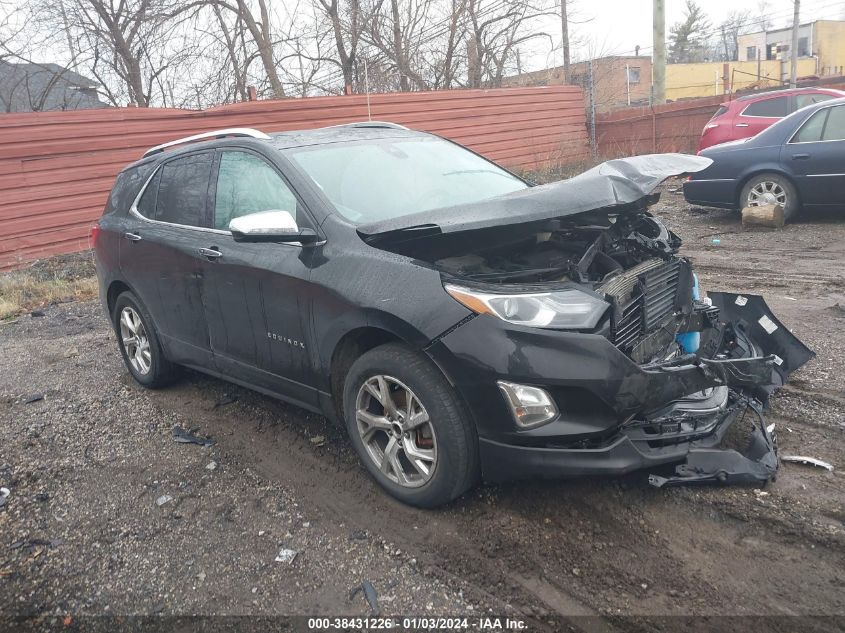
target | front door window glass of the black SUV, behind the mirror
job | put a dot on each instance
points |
(247, 184)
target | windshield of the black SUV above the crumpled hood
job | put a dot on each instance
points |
(381, 179)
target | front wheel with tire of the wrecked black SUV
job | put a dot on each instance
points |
(409, 428)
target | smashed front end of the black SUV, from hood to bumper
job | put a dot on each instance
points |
(685, 378)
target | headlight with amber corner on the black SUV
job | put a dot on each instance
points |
(562, 309)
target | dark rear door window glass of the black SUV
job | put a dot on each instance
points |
(183, 190)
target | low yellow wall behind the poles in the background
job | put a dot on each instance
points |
(706, 79)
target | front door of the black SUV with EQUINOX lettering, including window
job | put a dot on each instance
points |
(256, 294)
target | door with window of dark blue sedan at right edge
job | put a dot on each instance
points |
(816, 157)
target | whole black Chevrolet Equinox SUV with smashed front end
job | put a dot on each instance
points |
(459, 321)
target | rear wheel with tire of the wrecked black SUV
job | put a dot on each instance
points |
(139, 344)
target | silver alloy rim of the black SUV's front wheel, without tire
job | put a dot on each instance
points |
(396, 431)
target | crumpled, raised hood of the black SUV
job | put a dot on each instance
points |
(615, 183)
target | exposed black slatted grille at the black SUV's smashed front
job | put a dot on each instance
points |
(652, 300)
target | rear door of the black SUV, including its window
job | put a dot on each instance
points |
(160, 257)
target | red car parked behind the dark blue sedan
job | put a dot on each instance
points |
(746, 116)
